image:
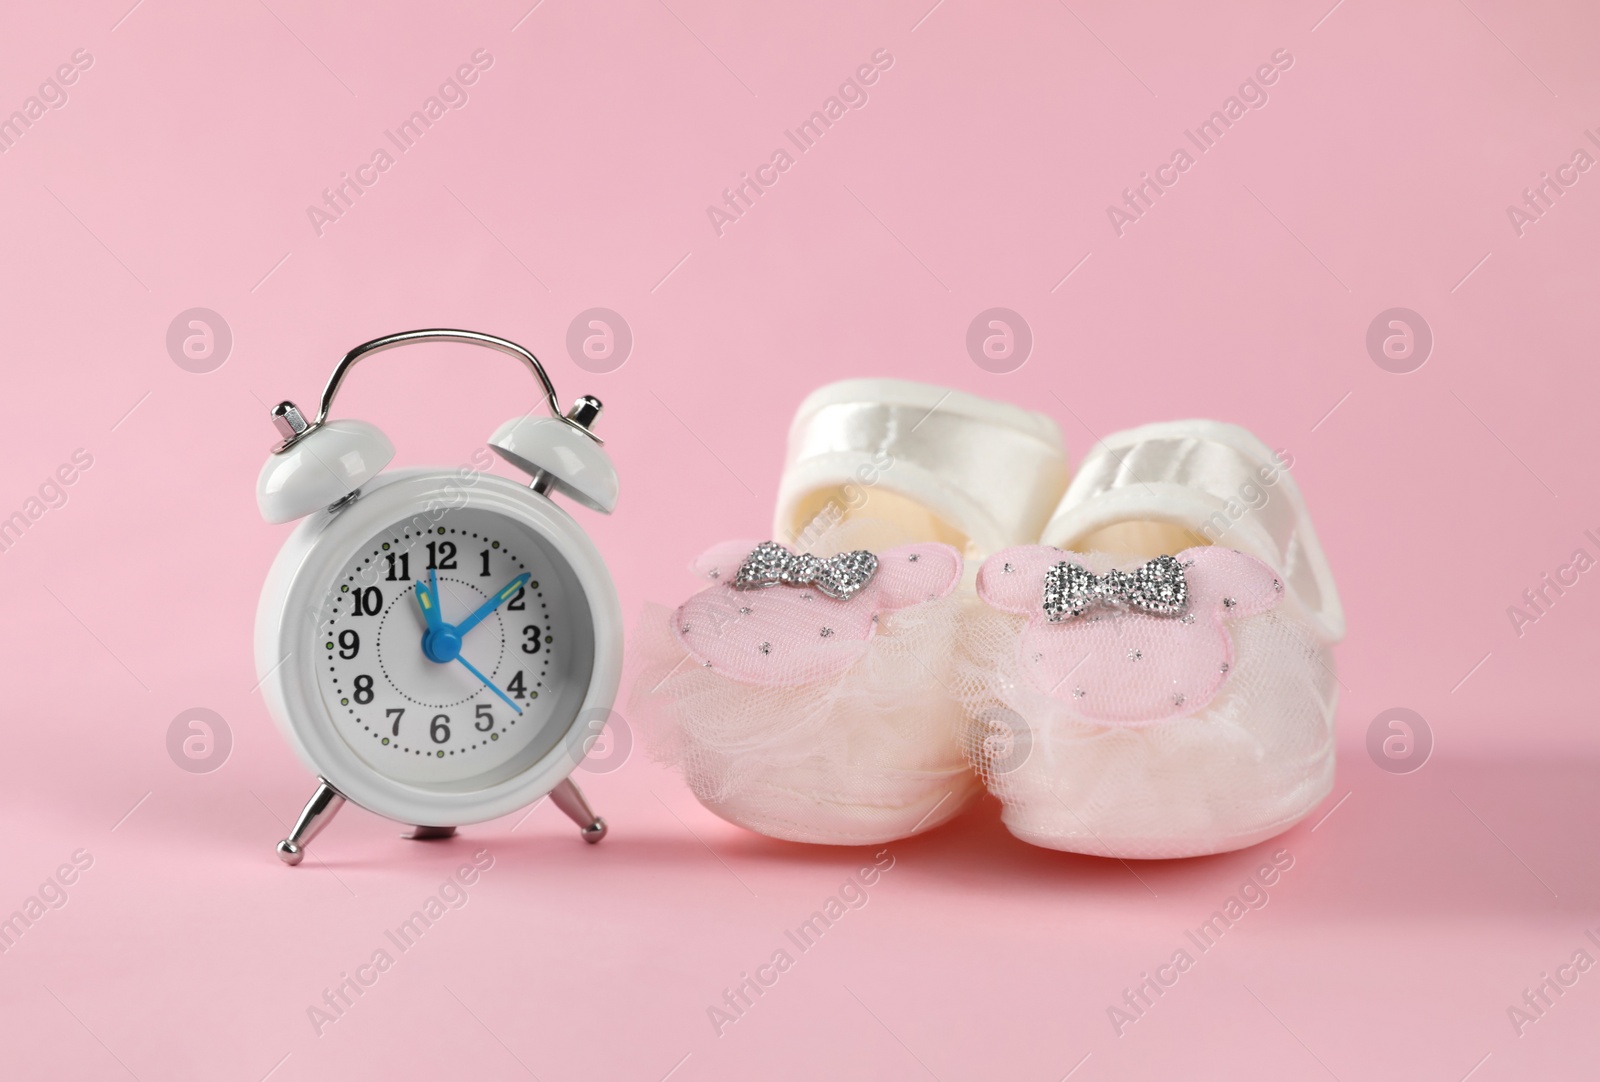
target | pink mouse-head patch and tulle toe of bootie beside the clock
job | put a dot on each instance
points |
(807, 718)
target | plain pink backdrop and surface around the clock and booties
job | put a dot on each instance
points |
(978, 175)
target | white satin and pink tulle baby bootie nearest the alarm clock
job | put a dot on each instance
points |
(809, 692)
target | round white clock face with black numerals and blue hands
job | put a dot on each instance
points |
(454, 649)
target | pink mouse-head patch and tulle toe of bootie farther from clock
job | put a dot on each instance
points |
(1151, 737)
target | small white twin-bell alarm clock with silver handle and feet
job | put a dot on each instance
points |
(439, 646)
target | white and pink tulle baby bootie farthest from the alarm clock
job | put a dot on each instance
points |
(1170, 692)
